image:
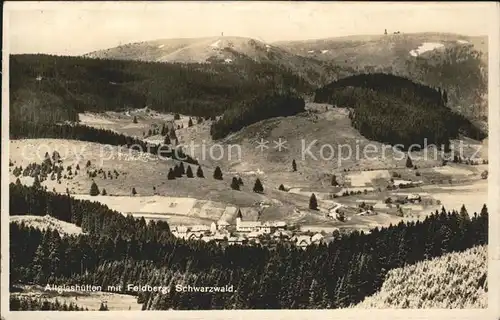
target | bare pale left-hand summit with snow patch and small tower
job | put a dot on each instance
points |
(237, 49)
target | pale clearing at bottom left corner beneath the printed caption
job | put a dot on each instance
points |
(89, 300)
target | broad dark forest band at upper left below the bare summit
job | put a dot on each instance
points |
(45, 88)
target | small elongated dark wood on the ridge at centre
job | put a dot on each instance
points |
(255, 110)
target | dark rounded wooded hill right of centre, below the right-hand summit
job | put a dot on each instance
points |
(396, 110)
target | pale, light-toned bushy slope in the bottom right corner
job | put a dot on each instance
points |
(456, 280)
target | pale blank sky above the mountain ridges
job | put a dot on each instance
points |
(74, 28)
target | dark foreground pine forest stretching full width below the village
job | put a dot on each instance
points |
(121, 250)
